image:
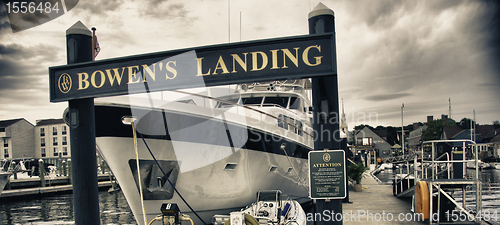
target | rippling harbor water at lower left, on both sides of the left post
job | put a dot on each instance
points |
(58, 209)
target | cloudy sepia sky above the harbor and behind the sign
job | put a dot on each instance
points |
(420, 53)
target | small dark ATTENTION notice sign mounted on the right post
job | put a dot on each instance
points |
(327, 173)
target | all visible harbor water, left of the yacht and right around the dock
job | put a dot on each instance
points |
(58, 209)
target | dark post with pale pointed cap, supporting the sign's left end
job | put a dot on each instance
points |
(82, 134)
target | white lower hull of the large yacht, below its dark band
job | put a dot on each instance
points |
(217, 188)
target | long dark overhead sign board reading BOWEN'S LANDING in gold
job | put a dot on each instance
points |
(264, 60)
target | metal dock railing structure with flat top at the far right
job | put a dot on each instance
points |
(442, 176)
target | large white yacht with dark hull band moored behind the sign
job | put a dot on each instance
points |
(217, 158)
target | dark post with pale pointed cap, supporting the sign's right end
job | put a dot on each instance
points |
(326, 115)
